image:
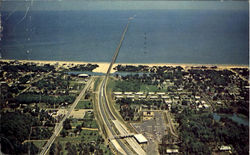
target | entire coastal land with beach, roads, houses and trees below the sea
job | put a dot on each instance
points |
(158, 105)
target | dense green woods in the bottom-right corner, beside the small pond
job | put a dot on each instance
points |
(200, 130)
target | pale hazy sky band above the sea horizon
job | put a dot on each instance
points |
(125, 5)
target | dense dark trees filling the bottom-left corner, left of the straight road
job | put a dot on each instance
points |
(15, 128)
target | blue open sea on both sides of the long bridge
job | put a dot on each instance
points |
(154, 36)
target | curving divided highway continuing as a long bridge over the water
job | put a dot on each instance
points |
(111, 124)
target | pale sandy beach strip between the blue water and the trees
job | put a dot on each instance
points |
(103, 66)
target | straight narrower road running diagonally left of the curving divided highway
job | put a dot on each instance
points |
(59, 127)
